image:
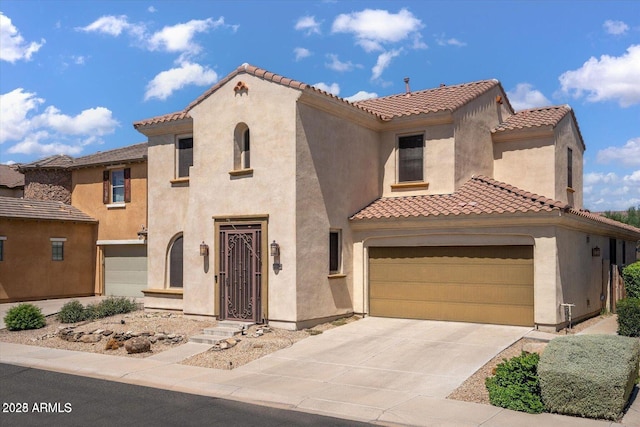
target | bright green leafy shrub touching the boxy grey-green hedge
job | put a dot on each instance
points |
(516, 385)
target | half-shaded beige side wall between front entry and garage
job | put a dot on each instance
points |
(337, 173)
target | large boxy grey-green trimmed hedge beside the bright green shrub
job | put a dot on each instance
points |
(589, 375)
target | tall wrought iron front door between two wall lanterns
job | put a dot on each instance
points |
(240, 272)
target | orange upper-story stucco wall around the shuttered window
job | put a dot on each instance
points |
(116, 223)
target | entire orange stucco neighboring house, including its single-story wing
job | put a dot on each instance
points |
(82, 224)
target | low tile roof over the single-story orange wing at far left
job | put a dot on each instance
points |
(11, 207)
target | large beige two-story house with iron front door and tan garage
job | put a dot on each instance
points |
(271, 200)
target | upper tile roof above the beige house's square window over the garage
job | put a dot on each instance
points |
(444, 98)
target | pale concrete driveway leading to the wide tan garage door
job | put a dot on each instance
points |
(375, 363)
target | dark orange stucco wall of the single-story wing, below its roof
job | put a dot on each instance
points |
(28, 245)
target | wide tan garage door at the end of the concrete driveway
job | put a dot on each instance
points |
(484, 284)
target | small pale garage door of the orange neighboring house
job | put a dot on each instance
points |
(125, 270)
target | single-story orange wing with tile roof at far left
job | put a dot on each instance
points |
(47, 250)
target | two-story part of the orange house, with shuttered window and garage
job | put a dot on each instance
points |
(110, 186)
